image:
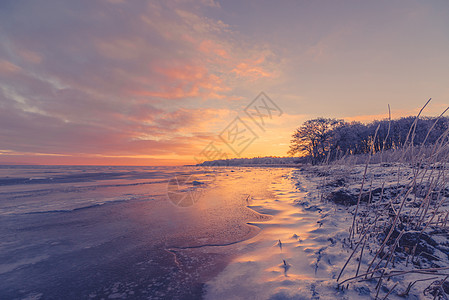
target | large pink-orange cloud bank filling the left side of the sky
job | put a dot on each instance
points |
(104, 100)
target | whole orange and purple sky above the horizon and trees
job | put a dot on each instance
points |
(154, 82)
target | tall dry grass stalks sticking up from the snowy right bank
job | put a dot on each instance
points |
(427, 183)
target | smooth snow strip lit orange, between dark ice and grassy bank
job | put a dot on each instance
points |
(294, 256)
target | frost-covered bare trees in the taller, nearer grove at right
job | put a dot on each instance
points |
(322, 138)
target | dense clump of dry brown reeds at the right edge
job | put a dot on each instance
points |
(417, 207)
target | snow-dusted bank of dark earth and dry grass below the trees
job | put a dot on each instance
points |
(418, 241)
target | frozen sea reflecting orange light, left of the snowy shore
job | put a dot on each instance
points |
(77, 232)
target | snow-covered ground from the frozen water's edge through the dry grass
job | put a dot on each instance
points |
(300, 252)
